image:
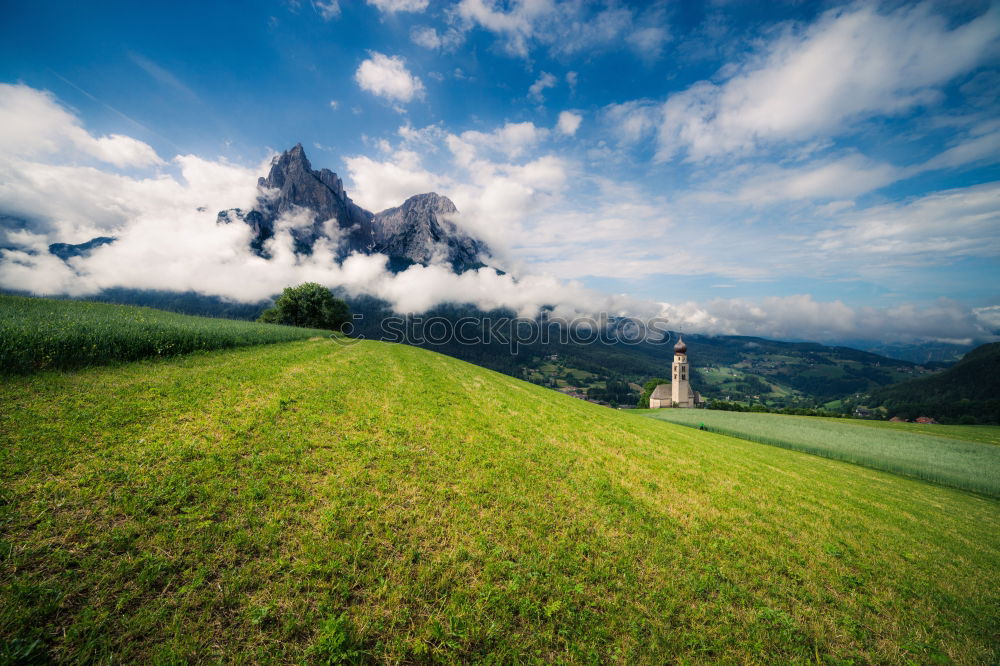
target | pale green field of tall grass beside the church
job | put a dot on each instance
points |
(968, 463)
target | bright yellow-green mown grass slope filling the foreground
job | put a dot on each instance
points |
(309, 502)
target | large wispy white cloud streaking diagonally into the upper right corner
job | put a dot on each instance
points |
(854, 62)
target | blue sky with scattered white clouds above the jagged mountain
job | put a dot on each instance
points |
(796, 158)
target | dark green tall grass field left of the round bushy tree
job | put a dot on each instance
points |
(40, 333)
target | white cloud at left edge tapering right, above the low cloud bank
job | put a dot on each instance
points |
(33, 124)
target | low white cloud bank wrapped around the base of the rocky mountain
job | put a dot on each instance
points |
(66, 185)
